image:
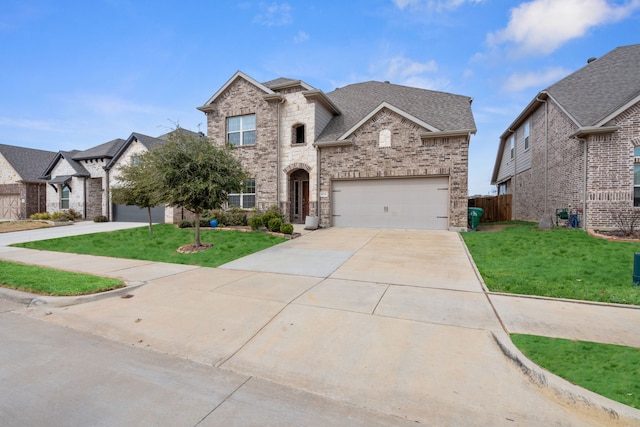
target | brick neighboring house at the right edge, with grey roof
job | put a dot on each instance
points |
(576, 146)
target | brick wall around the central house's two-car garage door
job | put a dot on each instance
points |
(408, 155)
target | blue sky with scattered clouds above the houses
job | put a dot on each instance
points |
(75, 74)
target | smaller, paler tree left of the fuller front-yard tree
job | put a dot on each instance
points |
(136, 186)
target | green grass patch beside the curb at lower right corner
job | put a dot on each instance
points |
(609, 370)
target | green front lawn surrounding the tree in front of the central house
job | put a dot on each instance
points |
(161, 246)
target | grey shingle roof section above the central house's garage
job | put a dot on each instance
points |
(436, 111)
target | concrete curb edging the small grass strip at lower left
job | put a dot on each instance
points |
(30, 300)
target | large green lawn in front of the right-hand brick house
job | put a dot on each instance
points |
(559, 263)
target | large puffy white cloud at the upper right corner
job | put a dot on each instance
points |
(542, 26)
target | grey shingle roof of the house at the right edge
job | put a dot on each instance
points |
(593, 94)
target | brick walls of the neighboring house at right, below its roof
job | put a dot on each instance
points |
(556, 176)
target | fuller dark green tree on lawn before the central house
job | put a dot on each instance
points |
(193, 173)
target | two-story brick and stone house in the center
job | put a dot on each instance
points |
(369, 154)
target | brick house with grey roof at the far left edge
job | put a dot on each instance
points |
(22, 192)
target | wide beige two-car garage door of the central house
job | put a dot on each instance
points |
(417, 203)
